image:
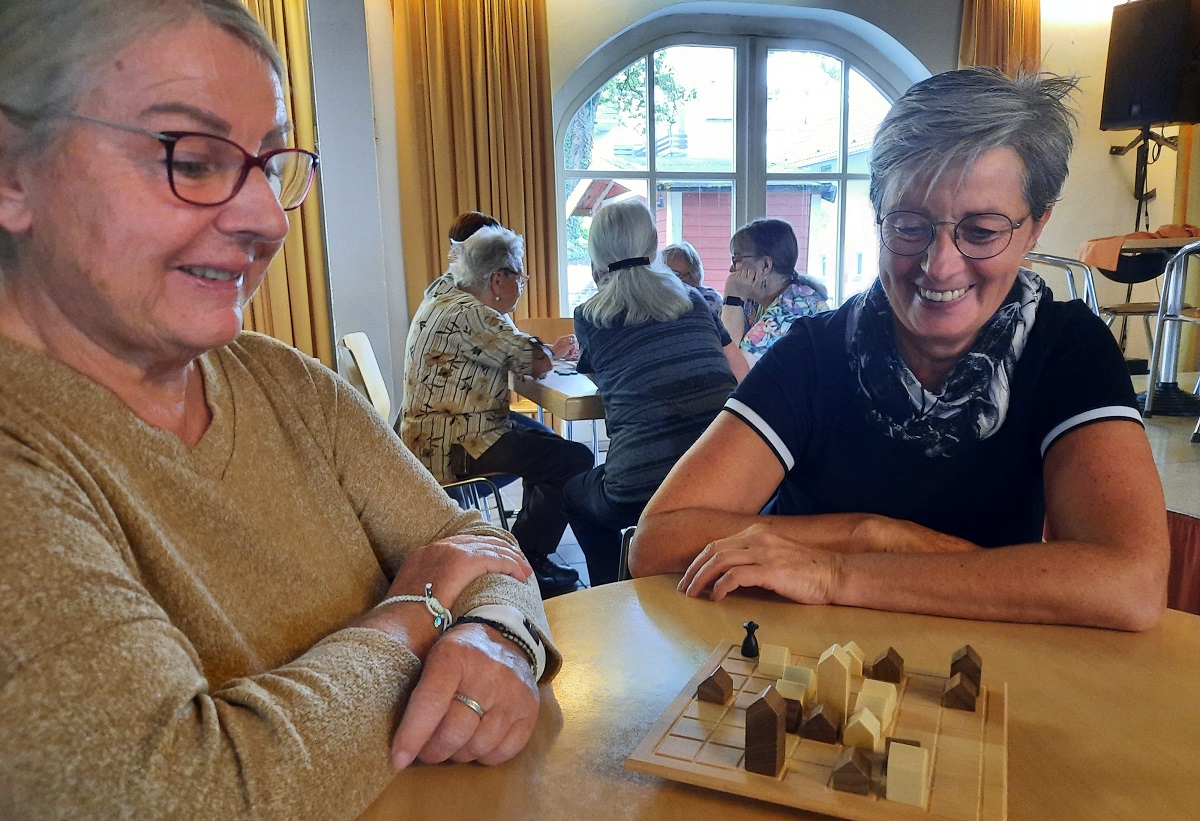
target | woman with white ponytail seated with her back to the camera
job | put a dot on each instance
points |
(658, 355)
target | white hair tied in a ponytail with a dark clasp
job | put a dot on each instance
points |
(631, 296)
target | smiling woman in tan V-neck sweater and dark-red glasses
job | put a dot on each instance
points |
(225, 580)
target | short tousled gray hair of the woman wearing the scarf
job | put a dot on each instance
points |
(952, 119)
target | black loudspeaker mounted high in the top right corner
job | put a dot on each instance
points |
(1154, 70)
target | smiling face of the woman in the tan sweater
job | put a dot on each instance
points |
(109, 257)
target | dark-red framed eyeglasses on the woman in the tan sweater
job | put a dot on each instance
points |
(206, 170)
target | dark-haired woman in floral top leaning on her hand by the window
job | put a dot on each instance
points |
(765, 295)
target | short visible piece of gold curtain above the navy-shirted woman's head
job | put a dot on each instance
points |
(1004, 34)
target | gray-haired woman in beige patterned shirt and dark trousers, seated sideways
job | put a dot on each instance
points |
(461, 347)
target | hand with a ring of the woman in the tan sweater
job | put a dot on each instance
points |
(476, 662)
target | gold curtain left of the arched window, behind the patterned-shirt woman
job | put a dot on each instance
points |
(473, 122)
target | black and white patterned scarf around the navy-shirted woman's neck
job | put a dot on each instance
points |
(973, 404)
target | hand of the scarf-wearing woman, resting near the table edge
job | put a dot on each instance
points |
(757, 558)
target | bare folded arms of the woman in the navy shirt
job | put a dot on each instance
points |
(1105, 564)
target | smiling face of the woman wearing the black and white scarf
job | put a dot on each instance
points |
(941, 299)
